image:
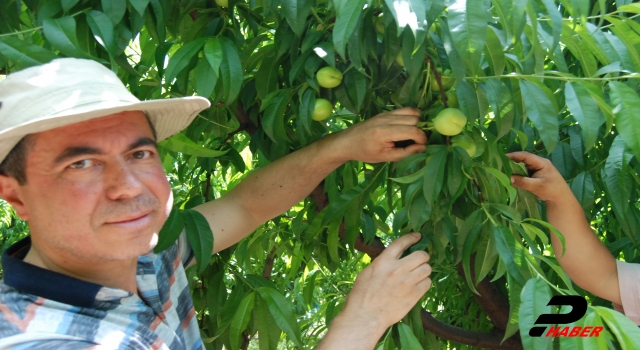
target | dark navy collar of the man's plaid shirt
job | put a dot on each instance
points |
(46, 283)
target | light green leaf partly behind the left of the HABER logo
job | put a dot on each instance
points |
(535, 296)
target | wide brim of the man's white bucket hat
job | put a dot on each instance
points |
(169, 117)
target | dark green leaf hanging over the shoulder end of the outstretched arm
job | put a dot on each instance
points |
(200, 237)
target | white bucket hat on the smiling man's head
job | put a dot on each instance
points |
(70, 90)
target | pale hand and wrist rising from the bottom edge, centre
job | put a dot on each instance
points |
(382, 295)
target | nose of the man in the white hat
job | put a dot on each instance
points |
(122, 181)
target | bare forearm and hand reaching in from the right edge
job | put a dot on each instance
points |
(586, 260)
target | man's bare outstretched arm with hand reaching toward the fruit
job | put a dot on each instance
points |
(272, 190)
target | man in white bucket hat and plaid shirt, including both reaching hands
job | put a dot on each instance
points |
(80, 164)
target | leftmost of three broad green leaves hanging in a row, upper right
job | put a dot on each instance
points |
(542, 111)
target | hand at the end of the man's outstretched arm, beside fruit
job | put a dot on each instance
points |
(372, 141)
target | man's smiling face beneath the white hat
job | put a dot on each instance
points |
(96, 190)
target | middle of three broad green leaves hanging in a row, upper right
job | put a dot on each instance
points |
(585, 110)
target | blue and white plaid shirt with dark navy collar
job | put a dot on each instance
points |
(42, 309)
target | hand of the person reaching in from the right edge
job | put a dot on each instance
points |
(545, 182)
